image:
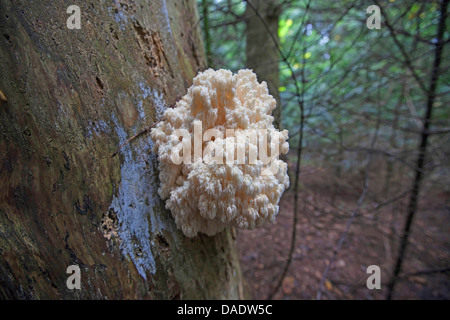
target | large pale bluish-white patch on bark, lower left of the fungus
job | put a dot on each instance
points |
(135, 200)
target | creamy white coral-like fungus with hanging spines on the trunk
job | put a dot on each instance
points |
(207, 196)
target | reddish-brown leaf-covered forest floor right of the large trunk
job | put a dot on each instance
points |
(372, 239)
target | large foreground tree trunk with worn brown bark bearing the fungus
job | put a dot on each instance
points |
(73, 96)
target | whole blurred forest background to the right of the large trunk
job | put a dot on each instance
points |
(368, 117)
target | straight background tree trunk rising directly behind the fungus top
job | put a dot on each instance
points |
(261, 51)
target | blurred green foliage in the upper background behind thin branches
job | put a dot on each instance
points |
(354, 81)
